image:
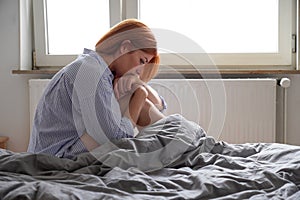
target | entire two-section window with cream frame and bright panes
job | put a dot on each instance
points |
(247, 34)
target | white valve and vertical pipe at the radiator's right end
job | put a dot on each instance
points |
(284, 83)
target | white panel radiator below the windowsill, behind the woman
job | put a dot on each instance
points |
(232, 110)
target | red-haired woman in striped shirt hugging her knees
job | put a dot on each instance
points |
(79, 109)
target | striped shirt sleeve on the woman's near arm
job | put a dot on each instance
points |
(99, 108)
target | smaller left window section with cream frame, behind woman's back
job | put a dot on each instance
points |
(64, 27)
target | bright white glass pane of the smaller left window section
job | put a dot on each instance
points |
(75, 24)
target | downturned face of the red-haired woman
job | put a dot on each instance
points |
(132, 62)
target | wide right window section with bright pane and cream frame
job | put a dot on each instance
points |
(233, 32)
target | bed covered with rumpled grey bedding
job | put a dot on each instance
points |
(171, 159)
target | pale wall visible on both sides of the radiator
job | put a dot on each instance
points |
(14, 106)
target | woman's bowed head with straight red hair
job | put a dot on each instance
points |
(131, 40)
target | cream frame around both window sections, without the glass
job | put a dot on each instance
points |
(285, 59)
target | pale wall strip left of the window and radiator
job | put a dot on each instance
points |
(14, 100)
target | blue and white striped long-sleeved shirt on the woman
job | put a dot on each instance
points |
(79, 99)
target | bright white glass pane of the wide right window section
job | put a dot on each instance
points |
(218, 26)
